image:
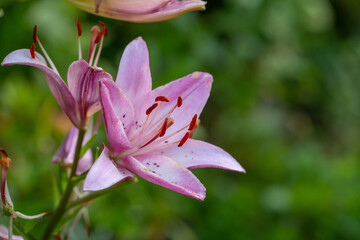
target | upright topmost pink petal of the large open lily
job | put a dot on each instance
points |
(134, 76)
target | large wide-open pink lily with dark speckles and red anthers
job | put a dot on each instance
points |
(148, 130)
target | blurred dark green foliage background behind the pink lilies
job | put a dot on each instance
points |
(284, 103)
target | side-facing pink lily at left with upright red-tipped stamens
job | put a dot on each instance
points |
(80, 99)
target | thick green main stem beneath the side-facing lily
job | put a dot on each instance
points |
(60, 210)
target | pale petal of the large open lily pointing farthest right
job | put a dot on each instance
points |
(198, 154)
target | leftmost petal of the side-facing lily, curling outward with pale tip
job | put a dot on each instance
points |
(56, 84)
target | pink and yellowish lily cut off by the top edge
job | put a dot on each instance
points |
(139, 10)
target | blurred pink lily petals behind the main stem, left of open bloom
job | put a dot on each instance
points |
(66, 152)
